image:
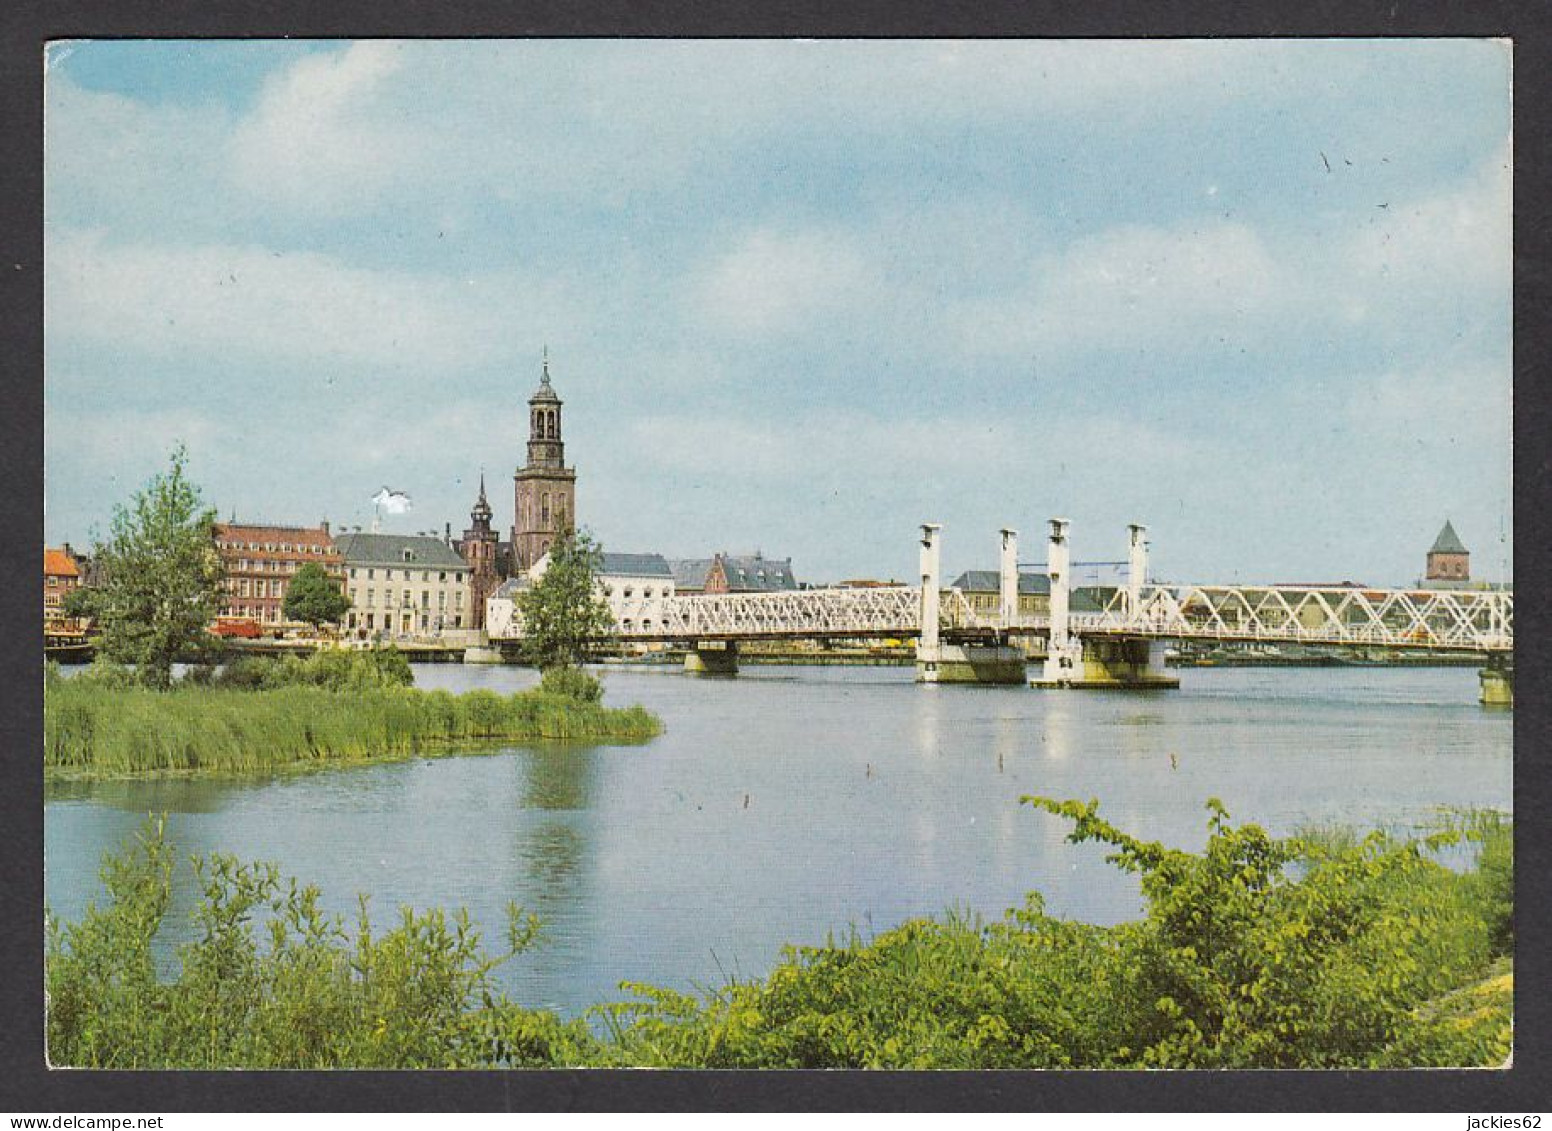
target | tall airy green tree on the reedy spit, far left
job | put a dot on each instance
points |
(161, 578)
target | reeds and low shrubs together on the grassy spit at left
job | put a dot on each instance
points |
(262, 714)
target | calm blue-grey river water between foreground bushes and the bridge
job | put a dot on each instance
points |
(792, 803)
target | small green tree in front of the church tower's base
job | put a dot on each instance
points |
(563, 614)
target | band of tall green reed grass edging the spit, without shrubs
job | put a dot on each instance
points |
(108, 732)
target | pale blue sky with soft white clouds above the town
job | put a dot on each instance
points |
(800, 297)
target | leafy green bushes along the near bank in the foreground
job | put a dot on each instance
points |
(1308, 952)
